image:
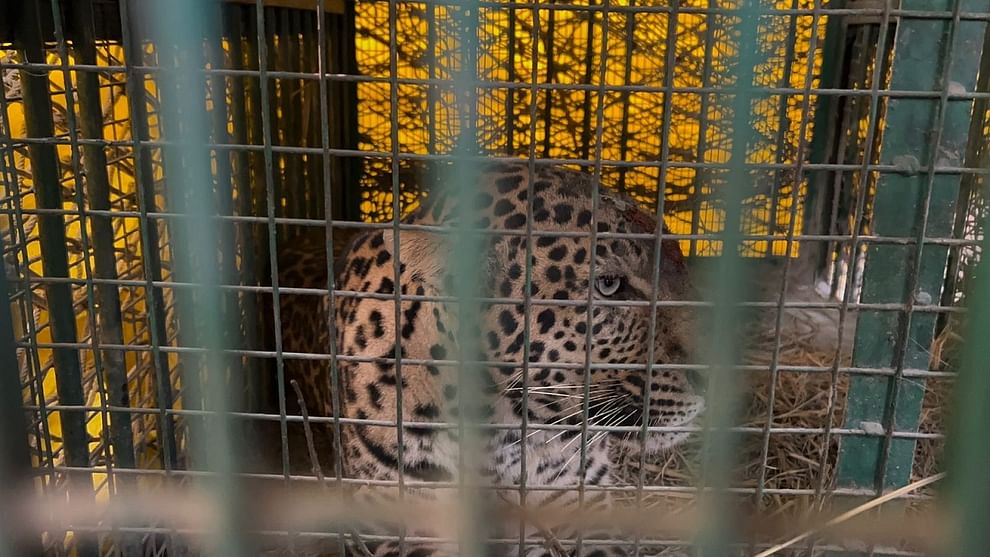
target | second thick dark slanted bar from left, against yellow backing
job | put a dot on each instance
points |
(98, 190)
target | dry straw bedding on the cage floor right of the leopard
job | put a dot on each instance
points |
(813, 400)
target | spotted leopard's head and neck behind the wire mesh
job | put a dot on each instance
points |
(614, 337)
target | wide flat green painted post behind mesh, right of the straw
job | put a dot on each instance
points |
(913, 204)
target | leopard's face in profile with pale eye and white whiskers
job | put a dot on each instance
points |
(614, 338)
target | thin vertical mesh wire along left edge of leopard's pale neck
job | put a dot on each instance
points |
(335, 383)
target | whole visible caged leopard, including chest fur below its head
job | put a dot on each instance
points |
(585, 366)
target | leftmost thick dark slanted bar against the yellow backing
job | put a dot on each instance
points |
(55, 263)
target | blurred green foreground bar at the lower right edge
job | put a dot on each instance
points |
(969, 444)
